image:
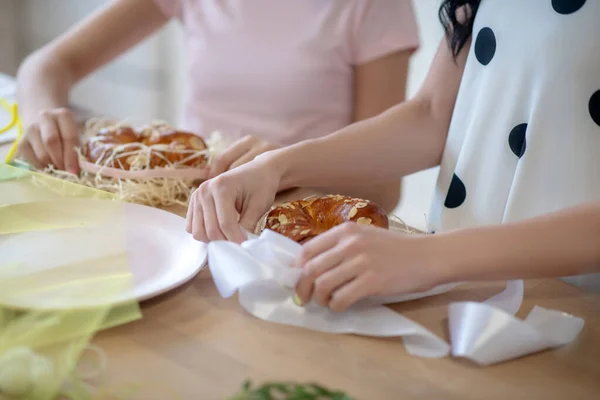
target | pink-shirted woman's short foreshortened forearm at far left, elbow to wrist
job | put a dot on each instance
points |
(43, 83)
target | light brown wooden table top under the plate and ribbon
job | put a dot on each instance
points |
(202, 347)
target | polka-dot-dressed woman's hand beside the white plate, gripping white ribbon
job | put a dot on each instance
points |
(235, 199)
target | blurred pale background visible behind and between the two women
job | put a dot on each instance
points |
(148, 82)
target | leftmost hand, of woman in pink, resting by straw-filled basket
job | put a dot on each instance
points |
(51, 139)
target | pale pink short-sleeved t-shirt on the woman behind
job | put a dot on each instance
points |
(282, 69)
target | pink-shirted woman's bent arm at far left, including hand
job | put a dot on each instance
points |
(46, 77)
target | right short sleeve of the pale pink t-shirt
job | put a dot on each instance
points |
(382, 27)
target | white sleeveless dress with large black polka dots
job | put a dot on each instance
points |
(525, 134)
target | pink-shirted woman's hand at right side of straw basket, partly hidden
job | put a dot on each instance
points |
(239, 153)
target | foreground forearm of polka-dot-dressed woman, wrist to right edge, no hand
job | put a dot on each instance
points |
(559, 244)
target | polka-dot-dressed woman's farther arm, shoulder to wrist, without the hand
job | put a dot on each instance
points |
(407, 138)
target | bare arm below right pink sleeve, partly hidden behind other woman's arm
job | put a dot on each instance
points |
(378, 85)
